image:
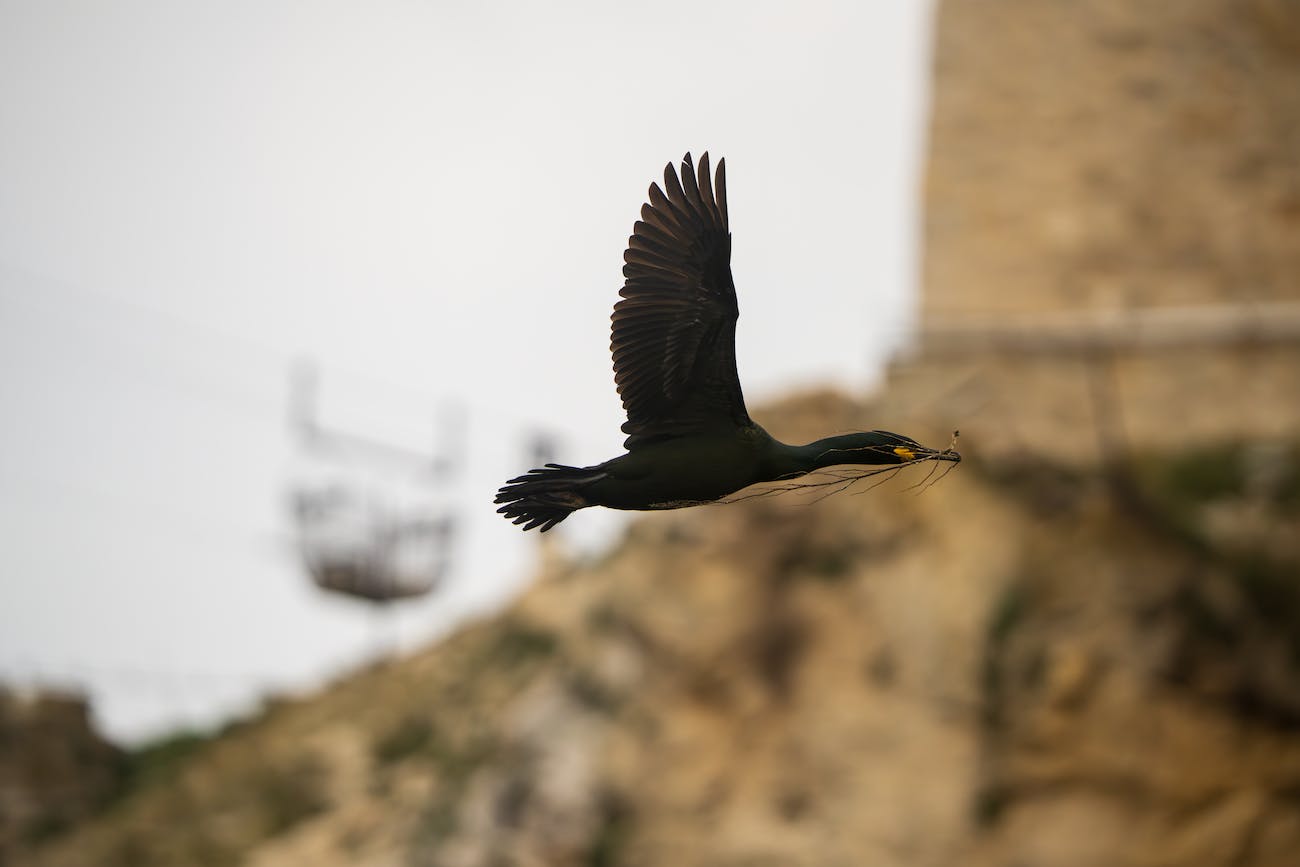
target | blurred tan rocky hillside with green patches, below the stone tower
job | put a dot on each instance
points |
(1021, 665)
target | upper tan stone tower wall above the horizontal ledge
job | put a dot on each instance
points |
(1110, 155)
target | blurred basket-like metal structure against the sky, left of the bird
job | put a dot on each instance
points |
(371, 518)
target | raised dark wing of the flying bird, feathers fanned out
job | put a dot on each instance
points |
(674, 332)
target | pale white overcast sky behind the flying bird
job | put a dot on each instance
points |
(432, 201)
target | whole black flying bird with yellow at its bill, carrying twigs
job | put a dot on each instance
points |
(674, 340)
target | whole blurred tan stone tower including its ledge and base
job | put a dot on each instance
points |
(1112, 232)
